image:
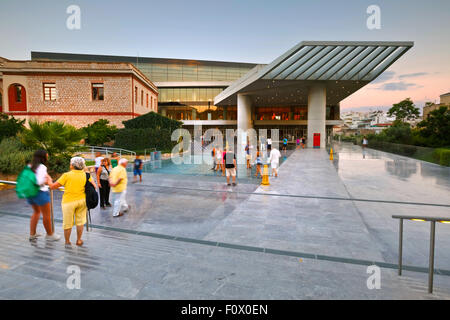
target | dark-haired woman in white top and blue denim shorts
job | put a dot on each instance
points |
(41, 202)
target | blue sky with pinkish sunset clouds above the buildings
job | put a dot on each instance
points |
(244, 31)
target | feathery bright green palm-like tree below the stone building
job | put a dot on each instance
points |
(56, 137)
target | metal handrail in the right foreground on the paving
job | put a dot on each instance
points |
(432, 221)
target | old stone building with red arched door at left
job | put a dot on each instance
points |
(78, 93)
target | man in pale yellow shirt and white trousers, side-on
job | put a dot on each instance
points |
(118, 182)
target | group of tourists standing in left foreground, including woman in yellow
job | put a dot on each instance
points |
(111, 175)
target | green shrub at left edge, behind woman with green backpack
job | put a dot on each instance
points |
(13, 156)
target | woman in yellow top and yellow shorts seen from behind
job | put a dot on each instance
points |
(74, 199)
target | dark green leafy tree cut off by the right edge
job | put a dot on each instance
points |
(437, 127)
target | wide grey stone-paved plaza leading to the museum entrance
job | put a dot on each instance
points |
(311, 234)
